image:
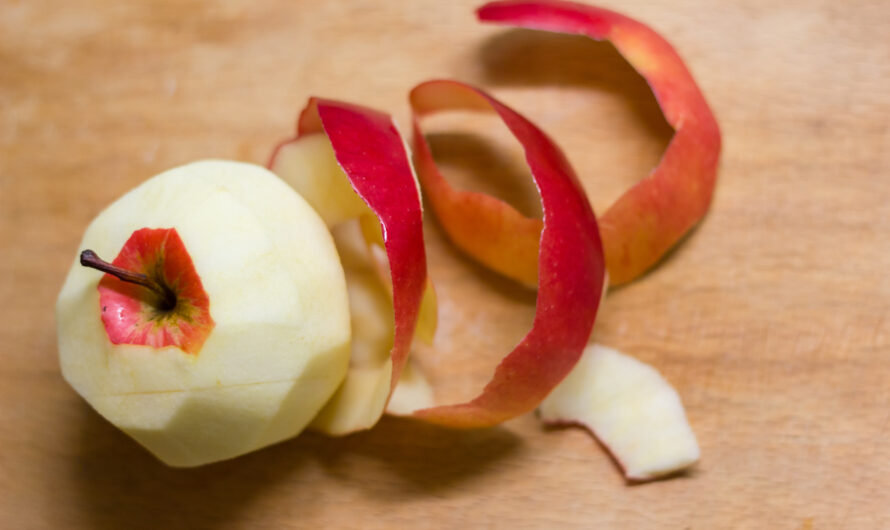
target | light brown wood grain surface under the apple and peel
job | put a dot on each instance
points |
(772, 319)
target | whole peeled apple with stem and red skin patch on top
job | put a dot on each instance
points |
(222, 322)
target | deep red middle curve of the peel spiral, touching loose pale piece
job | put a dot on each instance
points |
(571, 268)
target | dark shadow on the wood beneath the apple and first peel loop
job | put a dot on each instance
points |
(121, 485)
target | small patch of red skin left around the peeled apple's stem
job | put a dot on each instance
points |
(132, 314)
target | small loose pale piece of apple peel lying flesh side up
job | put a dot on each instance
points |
(630, 408)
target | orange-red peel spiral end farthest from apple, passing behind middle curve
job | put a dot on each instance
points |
(648, 219)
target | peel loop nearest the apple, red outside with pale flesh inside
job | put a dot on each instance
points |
(351, 162)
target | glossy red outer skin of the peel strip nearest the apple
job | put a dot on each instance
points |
(370, 151)
